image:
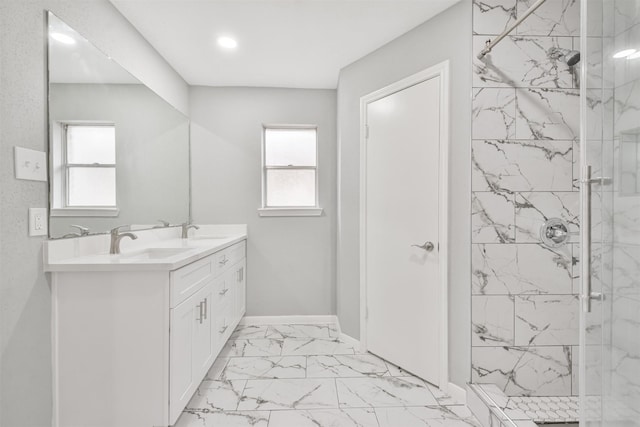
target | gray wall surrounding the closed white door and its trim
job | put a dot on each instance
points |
(441, 38)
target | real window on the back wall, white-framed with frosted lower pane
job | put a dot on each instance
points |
(290, 171)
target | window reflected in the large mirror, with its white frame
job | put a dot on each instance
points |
(85, 169)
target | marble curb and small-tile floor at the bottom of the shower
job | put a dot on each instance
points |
(494, 409)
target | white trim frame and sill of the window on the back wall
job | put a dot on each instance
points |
(284, 211)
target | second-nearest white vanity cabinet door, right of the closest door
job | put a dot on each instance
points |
(203, 349)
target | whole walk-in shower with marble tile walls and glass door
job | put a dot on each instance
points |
(556, 142)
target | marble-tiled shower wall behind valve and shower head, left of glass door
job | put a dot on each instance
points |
(524, 147)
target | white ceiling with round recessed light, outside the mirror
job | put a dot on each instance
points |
(283, 43)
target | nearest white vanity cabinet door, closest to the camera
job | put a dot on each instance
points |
(181, 369)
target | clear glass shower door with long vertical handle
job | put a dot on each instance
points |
(609, 373)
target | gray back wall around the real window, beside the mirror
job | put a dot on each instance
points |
(292, 259)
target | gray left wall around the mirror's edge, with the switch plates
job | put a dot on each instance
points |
(25, 303)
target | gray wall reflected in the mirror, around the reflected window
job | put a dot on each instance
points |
(152, 152)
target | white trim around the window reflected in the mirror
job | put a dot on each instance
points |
(59, 195)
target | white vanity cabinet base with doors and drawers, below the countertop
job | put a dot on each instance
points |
(130, 348)
